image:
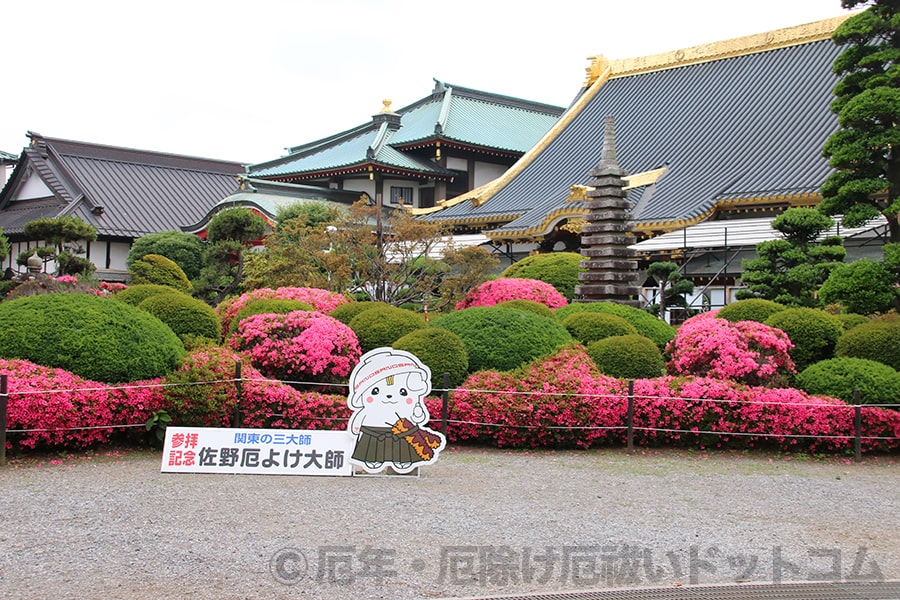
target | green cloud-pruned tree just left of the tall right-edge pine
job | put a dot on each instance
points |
(790, 270)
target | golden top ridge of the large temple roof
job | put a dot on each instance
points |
(739, 46)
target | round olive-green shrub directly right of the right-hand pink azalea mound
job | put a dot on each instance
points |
(813, 332)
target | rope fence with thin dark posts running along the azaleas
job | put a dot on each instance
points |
(629, 427)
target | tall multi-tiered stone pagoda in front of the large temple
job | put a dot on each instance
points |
(612, 274)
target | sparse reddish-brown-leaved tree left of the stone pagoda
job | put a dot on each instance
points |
(344, 256)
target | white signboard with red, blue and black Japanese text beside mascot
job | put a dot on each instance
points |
(257, 451)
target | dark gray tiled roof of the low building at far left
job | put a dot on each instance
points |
(139, 192)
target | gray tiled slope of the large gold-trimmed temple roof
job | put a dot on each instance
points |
(746, 126)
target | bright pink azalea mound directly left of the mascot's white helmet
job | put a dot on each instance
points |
(300, 345)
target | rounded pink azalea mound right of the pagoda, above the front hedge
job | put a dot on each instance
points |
(746, 351)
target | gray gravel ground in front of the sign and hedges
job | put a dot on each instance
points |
(479, 522)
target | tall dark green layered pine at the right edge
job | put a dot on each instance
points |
(867, 101)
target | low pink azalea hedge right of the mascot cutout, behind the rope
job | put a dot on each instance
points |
(524, 409)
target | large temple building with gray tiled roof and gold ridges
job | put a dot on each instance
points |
(720, 138)
